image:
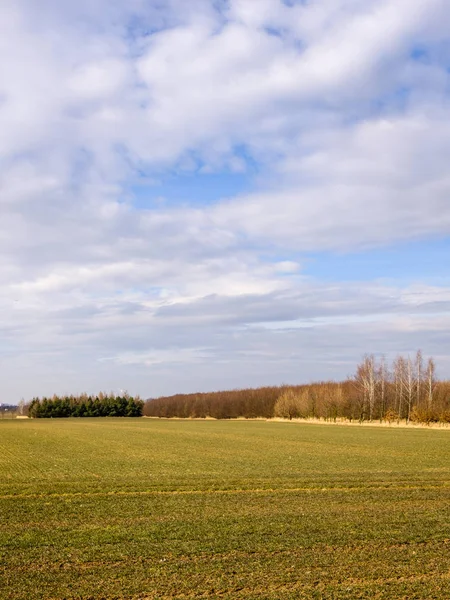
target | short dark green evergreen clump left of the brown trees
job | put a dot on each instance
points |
(101, 405)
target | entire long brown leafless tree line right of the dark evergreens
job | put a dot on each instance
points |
(405, 390)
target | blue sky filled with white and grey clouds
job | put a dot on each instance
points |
(218, 194)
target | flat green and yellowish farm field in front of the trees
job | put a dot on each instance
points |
(142, 508)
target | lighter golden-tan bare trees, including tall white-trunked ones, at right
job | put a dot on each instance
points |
(405, 390)
